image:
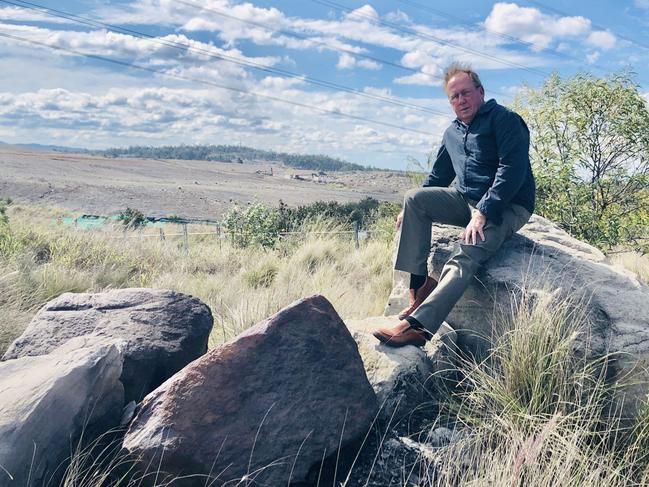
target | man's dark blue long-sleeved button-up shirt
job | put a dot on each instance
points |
(489, 160)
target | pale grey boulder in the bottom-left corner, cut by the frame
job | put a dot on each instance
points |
(46, 404)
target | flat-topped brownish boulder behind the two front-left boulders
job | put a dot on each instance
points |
(158, 331)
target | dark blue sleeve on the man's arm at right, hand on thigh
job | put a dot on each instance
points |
(513, 145)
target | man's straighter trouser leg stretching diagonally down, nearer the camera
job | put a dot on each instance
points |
(459, 270)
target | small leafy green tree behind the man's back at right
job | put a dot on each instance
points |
(590, 154)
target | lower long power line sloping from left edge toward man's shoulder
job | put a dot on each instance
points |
(213, 84)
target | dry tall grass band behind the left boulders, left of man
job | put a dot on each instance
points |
(40, 260)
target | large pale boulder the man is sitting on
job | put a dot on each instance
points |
(542, 258)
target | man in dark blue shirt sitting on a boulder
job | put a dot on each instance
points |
(486, 151)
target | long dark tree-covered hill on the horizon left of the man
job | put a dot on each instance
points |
(234, 153)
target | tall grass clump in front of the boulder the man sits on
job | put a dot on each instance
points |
(538, 410)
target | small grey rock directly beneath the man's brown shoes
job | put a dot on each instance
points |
(404, 377)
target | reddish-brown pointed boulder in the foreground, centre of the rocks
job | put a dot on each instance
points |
(270, 404)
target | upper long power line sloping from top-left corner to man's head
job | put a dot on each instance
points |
(223, 57)
